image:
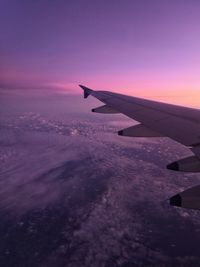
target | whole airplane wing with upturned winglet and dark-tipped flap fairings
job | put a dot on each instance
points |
(157, 119)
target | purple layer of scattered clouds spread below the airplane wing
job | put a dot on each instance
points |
(77, 194)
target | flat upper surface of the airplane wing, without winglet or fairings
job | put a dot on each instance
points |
(179, 123)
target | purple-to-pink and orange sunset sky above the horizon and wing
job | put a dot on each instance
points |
(145, 48)
